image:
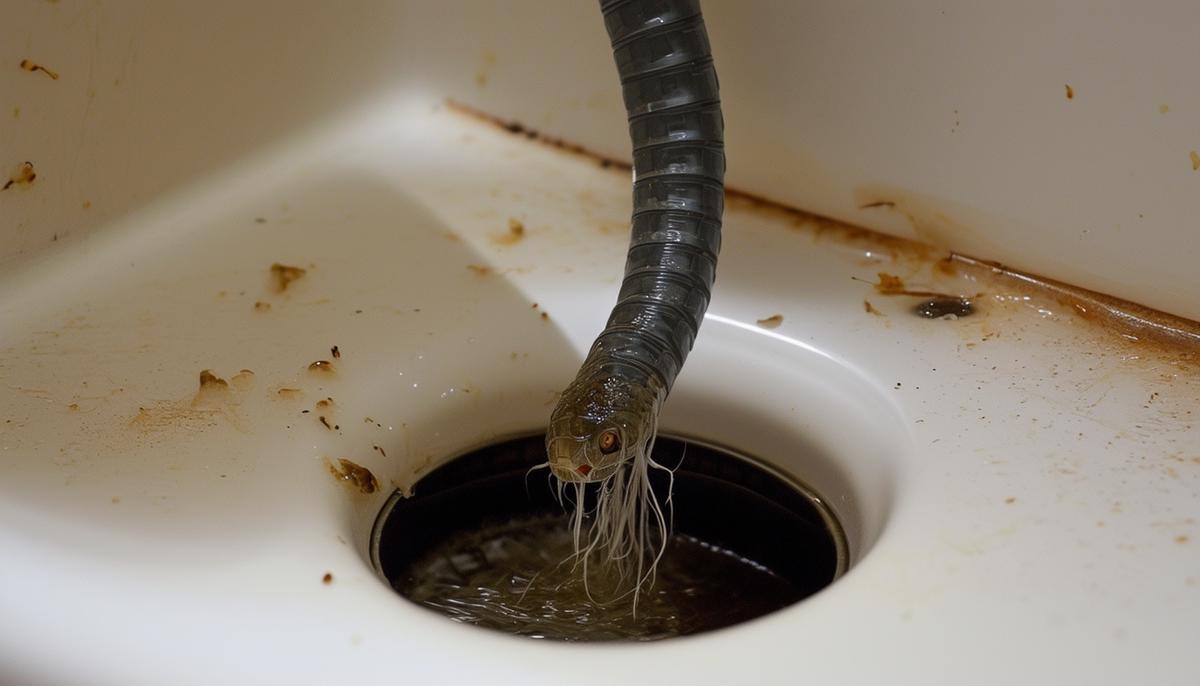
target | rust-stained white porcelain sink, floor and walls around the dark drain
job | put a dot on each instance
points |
(1021, 488)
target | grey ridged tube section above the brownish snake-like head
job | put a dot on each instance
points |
(675, 123)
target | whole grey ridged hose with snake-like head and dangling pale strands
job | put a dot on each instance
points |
(604, 426)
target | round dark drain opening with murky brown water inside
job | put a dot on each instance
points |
(487, 543)
